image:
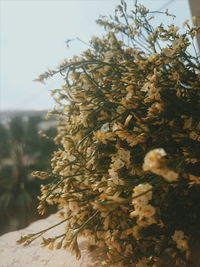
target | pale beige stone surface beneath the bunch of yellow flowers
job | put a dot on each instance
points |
(35, 256)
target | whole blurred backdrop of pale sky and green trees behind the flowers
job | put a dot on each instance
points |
(33, 37)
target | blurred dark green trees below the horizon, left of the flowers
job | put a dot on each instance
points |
(22, 150)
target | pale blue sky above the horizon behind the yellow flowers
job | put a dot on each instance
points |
(32, 39)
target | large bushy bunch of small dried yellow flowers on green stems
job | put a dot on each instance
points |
(126, 172)
